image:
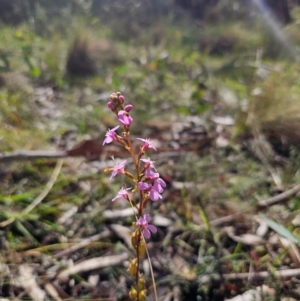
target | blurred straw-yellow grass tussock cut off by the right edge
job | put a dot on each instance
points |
(274, 105)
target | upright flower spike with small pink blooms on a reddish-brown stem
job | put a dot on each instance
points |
(146, 184)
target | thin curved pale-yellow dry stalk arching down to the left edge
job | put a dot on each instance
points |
(41, 196)
